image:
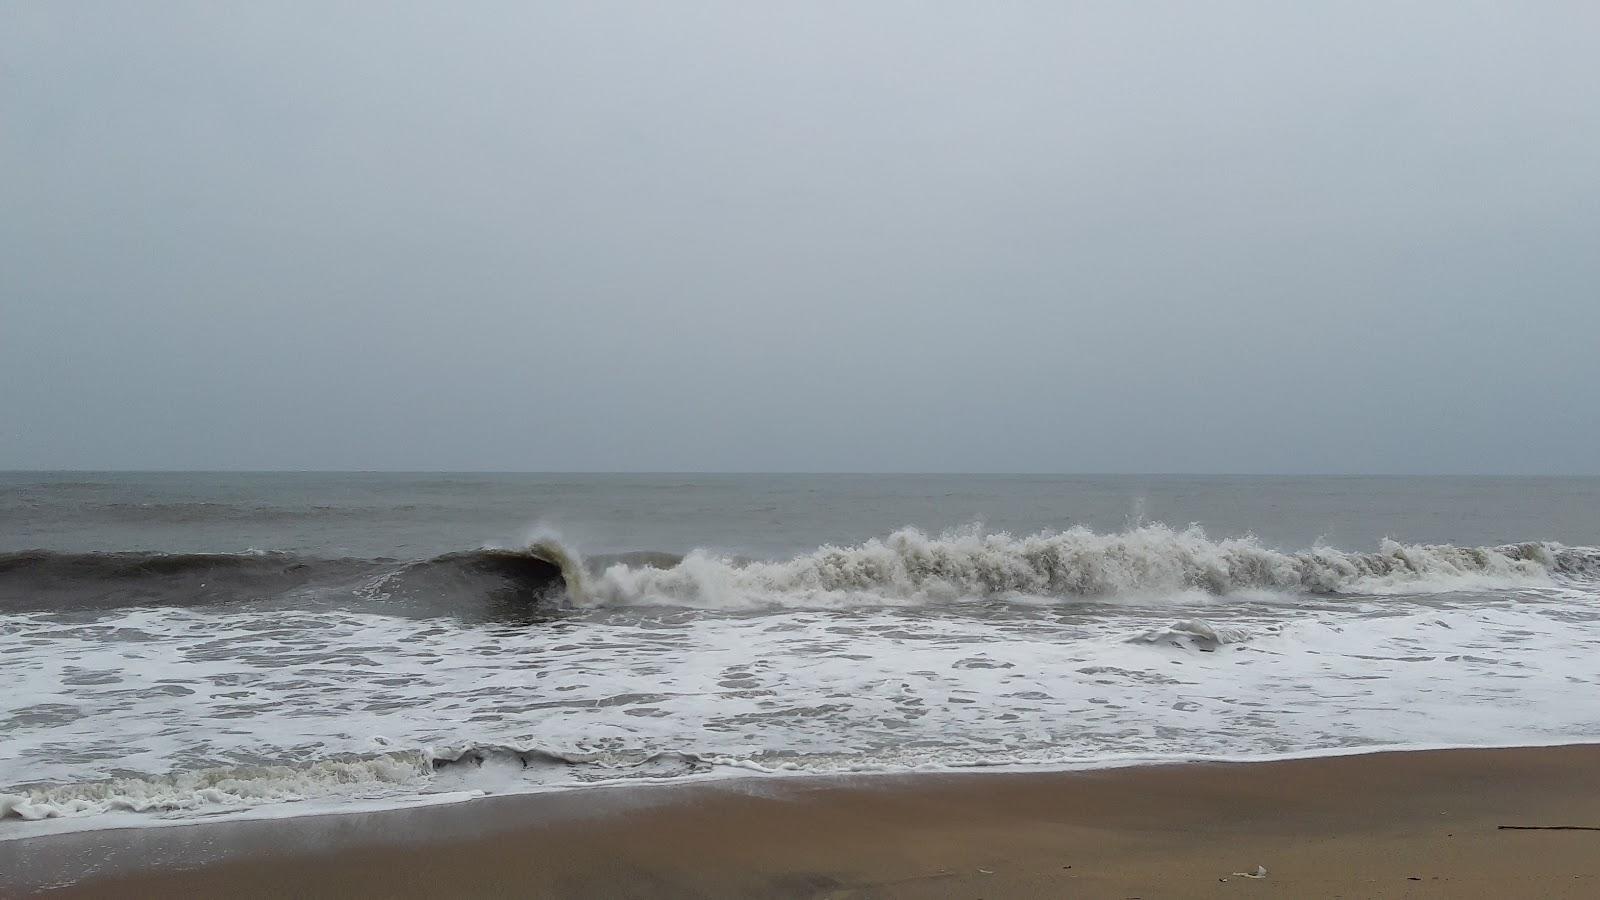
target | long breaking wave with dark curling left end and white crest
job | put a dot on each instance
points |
(905, 568)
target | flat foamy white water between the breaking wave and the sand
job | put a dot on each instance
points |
(180, 713)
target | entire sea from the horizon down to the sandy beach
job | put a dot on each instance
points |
(190, 646)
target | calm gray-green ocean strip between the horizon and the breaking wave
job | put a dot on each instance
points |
(762, 516)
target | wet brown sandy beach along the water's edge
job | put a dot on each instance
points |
(1378, 826)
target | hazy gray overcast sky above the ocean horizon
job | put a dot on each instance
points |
(1242, 238)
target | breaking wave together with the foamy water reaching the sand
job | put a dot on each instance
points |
(158, 689)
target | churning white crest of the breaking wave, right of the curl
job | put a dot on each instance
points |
(913, 568)
